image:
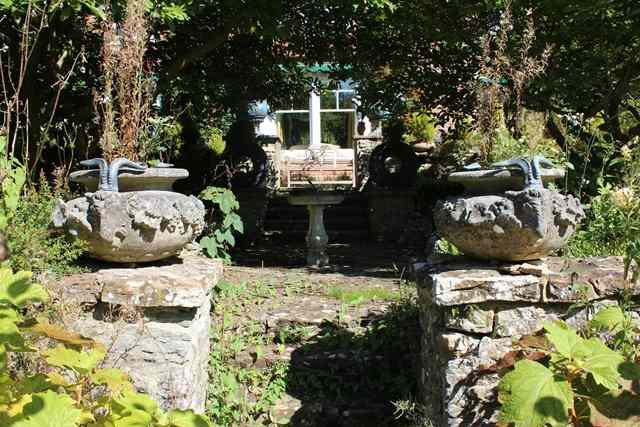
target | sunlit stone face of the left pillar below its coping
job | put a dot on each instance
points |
(165, 351)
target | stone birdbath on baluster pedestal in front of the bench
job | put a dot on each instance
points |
(317, 239)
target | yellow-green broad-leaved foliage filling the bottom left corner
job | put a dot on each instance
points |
(72, 390)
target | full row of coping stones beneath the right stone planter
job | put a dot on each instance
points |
(459, 280)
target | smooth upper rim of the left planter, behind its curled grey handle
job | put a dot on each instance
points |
(158, 179)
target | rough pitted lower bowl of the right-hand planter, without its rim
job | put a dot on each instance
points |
(512, 226)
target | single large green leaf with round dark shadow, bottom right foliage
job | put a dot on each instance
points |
(532, 396)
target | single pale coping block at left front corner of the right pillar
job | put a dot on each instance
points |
(479, 285)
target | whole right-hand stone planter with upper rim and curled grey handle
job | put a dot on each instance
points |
(508, 216)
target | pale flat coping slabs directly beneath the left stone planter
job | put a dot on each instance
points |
(187, 284)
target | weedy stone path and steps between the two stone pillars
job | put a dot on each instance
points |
(338, 345)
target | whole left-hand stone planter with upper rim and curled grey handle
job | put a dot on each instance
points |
(132, 215)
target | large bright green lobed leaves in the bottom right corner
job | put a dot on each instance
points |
(584, 382)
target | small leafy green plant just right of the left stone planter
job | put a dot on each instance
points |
(223, 221)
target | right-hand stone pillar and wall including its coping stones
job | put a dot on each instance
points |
(473, 312)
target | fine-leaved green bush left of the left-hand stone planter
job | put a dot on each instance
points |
(33, 245)
